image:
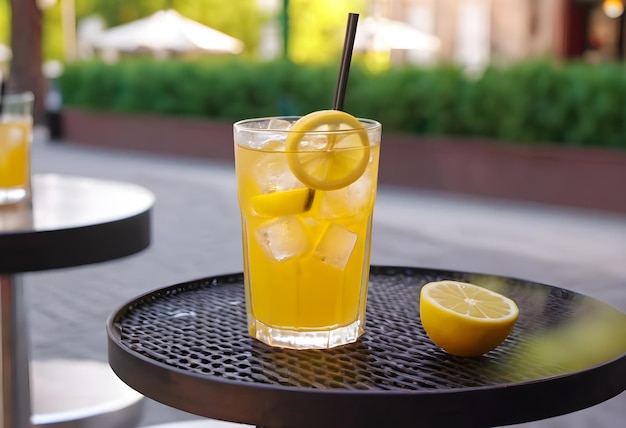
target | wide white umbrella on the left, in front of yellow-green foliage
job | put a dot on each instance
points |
(167, 30)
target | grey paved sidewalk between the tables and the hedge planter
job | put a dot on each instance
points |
(196, 234)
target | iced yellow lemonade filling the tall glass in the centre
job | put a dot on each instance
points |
(306, 250)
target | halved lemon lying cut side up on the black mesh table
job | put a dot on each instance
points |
(464, 319)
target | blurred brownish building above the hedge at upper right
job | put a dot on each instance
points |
(477, 32)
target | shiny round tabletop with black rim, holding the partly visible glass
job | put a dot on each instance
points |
(73, 221)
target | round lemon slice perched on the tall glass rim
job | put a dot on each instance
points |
(328, 149)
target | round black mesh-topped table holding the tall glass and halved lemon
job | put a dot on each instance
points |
(187, 346)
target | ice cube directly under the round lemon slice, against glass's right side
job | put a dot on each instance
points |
(349, 201)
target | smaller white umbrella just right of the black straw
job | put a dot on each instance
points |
(381, 34)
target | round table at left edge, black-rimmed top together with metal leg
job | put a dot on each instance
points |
(70, 221)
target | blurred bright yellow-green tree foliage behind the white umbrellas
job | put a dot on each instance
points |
(316, 28)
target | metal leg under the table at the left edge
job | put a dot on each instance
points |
(15, 395)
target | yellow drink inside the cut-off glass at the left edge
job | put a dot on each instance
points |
(14, 153)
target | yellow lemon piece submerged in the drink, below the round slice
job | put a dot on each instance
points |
(283, 203)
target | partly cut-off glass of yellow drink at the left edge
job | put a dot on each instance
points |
(16, 131)
